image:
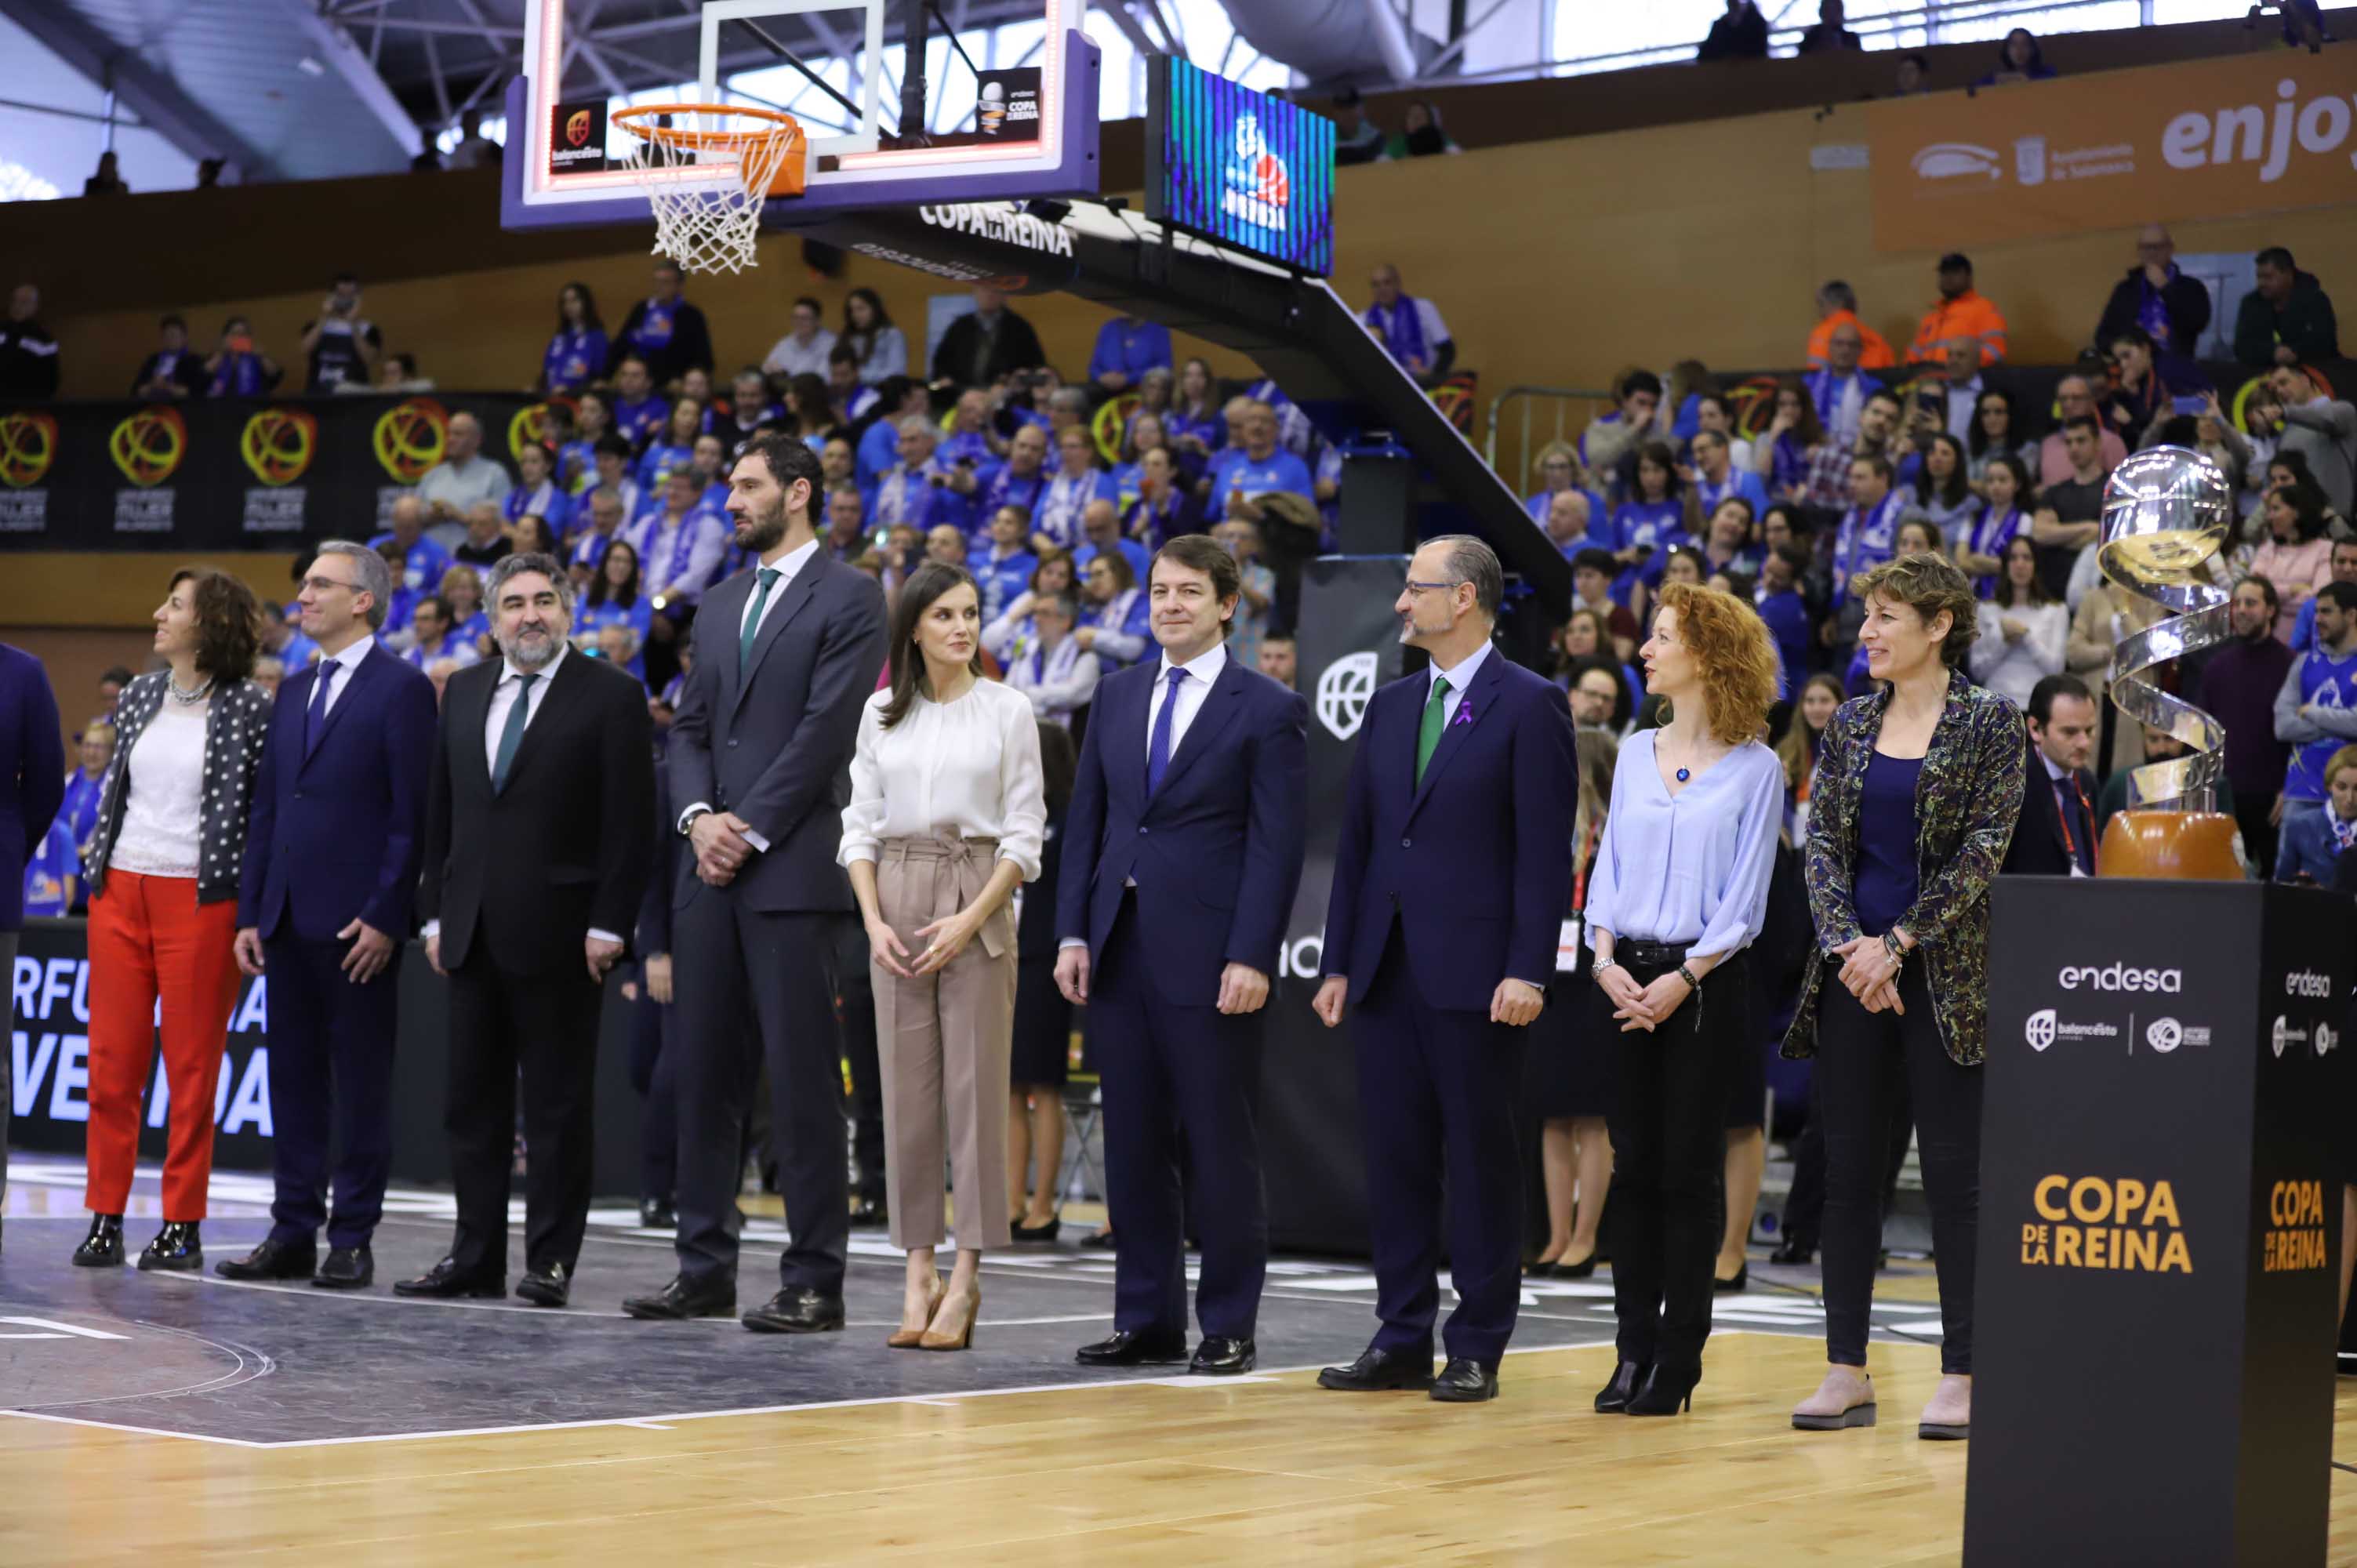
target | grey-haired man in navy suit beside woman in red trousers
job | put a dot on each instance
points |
(324, 909)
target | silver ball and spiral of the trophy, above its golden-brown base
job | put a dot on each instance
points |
(2165, 515)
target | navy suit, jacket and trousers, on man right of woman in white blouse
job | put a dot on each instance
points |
(1217, 859)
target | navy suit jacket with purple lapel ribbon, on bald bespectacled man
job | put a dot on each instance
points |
(1479, 862)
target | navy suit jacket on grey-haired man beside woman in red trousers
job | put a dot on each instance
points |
(341, 834)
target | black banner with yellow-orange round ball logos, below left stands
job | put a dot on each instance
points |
(230, 473)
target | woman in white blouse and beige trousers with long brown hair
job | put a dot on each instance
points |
(946, 817)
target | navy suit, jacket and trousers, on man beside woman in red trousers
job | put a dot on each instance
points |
(336, 834)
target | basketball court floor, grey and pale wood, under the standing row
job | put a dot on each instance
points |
(161, 1418)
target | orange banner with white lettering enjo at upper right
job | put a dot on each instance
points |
(2217, 138)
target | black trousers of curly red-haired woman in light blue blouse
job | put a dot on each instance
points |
(1670, 1157)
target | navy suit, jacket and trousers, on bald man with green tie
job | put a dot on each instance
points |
(1439, 895)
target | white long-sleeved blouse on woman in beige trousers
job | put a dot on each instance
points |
(965, 767)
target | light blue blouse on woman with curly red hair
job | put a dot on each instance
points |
(1689, 869)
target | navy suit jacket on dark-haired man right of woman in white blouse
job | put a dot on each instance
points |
(1215, 852)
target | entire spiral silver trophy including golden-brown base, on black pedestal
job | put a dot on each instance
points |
(2165, 515)
